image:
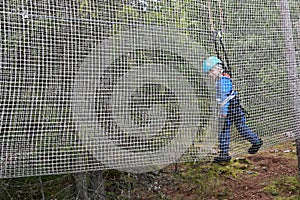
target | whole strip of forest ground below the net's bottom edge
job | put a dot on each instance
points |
(270, 174)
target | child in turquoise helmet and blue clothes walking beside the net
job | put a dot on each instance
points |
(230, 110)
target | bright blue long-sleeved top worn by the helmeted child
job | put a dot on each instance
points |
(224, 88)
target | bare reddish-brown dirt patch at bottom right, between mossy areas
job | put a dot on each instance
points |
(268, 165)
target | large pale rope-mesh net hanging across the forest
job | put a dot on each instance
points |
(98, 84)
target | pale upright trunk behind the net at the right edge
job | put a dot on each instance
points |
(291, 66)
